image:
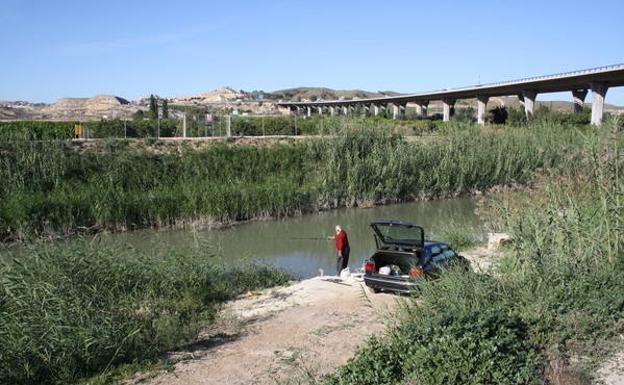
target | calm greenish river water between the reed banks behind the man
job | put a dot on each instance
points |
(299, 244)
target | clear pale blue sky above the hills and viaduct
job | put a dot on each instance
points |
(52, 49)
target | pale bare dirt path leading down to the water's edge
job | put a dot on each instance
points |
(283, 335)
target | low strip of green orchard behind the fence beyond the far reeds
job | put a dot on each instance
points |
(197, 126)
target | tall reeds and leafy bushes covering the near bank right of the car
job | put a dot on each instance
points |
(550, 308)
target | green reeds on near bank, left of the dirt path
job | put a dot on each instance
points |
(69, 311)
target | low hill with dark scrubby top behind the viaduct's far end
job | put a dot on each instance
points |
(316, 93)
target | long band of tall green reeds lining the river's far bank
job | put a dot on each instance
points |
(51, 189)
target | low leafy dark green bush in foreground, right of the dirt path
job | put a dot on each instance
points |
(478, 342)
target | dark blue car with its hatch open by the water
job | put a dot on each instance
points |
(404, 258)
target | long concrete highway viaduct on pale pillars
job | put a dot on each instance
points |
(579, 83)
